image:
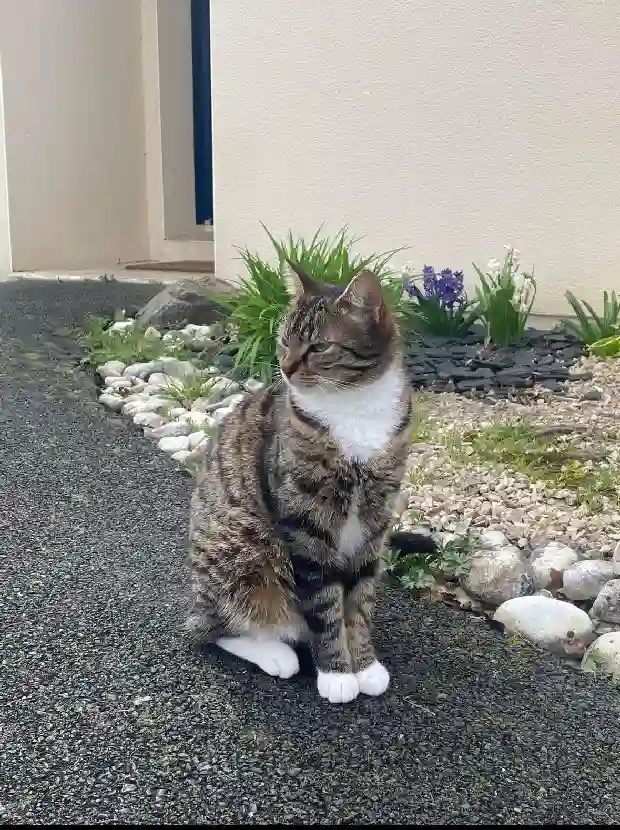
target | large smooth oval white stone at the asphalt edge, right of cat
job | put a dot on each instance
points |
(547, 622)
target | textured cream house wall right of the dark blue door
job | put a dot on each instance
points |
(451, 127)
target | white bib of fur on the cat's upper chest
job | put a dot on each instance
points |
(361, 420)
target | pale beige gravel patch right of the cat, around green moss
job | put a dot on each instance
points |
(455, 490)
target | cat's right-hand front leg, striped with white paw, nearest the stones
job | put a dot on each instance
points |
(372, 676)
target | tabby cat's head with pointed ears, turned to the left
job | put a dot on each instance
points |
(335, 337)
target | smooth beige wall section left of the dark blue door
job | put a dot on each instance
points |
(74, 129)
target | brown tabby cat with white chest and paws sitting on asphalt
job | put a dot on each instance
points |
(294, 503)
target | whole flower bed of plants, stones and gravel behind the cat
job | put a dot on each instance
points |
(521, 492)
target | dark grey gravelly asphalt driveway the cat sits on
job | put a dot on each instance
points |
(106, 716)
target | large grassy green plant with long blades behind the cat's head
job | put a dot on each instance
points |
(255, 309)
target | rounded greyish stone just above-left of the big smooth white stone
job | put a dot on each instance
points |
(498, 574)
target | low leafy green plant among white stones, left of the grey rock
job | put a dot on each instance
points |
(130, 345)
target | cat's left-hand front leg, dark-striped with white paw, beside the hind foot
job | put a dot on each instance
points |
(322, 604)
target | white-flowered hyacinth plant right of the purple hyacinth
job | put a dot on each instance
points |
(505, 298)
